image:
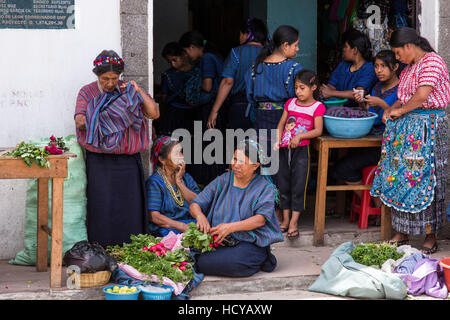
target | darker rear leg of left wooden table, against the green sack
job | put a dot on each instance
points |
(42, 220)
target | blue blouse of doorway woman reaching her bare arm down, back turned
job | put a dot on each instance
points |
(237, 64)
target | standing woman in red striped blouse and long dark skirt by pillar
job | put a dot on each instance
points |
(111, 125)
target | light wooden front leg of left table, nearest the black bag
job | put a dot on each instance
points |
(57, 233)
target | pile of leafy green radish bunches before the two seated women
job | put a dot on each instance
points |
(137, 255)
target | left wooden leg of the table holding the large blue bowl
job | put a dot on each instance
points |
(321, 194)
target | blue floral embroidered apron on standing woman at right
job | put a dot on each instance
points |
(405, 178)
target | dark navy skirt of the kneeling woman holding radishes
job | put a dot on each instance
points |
(243, 260)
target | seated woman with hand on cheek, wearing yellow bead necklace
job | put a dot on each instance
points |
(169, 190)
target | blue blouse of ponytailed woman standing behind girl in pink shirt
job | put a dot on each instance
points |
(272, 82)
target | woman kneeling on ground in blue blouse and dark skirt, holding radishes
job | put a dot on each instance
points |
(239, 208)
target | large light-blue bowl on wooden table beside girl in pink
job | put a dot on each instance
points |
(349, 127)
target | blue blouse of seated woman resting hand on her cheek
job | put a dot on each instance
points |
(159, 198)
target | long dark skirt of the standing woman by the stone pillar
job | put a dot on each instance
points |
(116, 206)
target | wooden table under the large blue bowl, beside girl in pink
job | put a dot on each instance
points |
(323, 144)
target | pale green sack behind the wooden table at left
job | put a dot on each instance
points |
(74, 206)
